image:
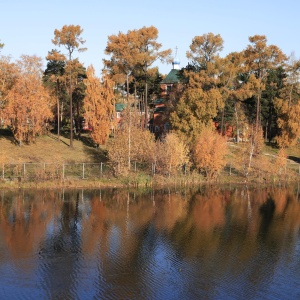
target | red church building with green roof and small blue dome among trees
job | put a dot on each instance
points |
(160, 122)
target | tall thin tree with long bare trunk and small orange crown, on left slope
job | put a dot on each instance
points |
(70, 37)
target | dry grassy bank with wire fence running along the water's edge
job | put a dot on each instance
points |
(50, 163)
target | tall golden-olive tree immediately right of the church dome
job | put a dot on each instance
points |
(202, 98)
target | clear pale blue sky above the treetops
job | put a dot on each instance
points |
(27, 26)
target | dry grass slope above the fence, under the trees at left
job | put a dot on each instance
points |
(48, 149)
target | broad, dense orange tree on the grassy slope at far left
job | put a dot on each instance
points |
(28, 101)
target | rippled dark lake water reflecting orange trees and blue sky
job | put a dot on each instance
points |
(209, 243)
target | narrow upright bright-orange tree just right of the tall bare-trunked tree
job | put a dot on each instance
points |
(99, 105)
